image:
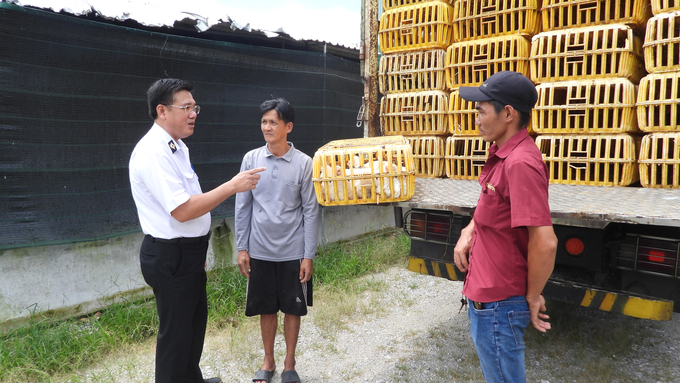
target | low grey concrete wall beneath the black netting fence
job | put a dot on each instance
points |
(75, 279)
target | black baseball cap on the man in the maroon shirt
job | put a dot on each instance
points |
(506, 87)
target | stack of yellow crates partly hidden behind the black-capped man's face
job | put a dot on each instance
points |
(489, 36)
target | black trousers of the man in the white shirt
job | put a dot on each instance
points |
(176, 272)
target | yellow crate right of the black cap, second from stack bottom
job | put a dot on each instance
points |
(586, 106)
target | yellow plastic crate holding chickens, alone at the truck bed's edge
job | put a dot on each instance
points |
(364, 171)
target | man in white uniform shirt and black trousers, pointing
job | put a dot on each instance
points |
(175, 216)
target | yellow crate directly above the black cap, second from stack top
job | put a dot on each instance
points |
(470, 63)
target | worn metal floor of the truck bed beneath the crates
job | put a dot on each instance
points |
(579, 205)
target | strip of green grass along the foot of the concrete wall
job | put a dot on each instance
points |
(47, 348)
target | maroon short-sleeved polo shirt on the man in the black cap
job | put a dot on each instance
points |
(514, 195)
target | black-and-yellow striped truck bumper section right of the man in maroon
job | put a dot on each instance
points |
(620, 302)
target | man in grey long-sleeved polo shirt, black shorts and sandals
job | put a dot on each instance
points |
(277, 226)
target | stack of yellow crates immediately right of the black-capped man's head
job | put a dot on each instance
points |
(587, 63)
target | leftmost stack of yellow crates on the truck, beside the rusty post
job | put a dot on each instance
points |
(413, 37)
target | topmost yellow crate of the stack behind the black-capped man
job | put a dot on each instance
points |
(474, 19)
